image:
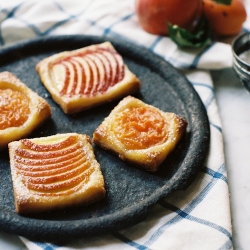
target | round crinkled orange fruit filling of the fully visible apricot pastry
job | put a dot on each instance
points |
(140, 128)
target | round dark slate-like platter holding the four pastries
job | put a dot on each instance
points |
(130, 192)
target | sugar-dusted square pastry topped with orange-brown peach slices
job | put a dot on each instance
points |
(54, 172)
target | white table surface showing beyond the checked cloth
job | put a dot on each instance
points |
(234, 107)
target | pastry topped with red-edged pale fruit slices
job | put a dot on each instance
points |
(87, 77)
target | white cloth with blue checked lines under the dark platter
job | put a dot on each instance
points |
(195, 218)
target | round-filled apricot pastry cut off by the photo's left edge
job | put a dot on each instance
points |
(21, 109)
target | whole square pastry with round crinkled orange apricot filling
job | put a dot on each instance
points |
(139, 133)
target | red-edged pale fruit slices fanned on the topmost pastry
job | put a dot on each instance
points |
(90, 72)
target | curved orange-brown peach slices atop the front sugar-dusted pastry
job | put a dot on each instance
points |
(53, 167)
